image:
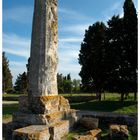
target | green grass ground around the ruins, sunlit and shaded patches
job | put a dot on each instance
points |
(110, 104)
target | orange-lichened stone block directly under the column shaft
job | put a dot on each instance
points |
(49, 104)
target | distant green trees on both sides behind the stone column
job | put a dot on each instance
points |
(65, 83)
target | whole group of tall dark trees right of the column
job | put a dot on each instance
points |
(108, 54)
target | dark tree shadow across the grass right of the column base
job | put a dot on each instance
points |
(105, 106)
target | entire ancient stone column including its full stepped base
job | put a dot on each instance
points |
(43, 111)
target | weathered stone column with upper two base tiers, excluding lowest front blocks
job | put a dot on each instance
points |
(42, 99)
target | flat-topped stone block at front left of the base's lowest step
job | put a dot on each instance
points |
(33, 132)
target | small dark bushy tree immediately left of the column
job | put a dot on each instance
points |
(21, 84)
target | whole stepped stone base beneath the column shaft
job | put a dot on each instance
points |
(47, 113)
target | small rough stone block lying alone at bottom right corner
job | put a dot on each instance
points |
(118, 131)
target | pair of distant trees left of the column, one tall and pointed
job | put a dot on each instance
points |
(21, 84)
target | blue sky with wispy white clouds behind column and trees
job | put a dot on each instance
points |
(74, 17)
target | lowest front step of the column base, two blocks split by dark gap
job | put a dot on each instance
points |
(42, 132)
